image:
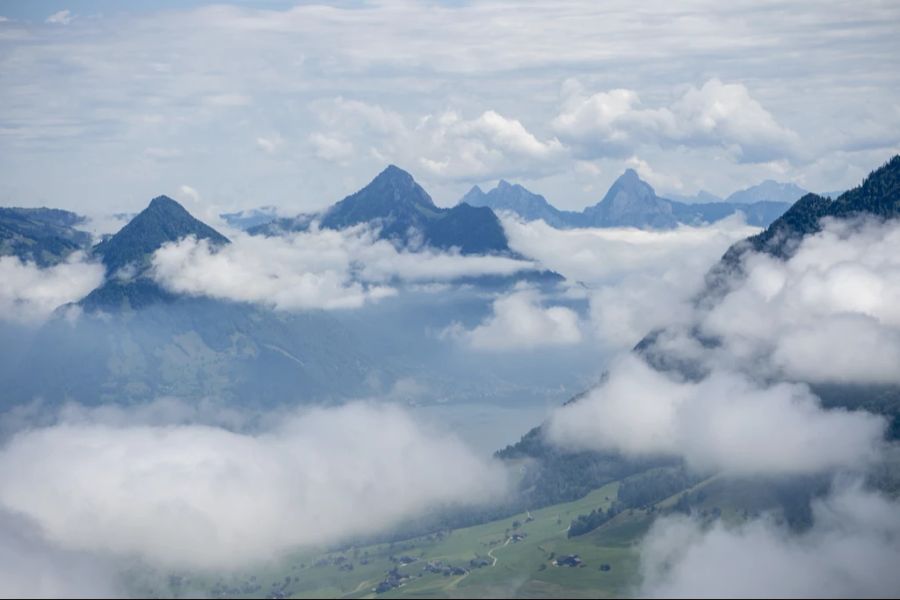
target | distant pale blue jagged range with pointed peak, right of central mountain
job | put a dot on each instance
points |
(632, 202)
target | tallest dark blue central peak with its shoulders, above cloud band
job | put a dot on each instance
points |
(405, 213)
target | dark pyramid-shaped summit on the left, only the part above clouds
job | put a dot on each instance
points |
(164, 220)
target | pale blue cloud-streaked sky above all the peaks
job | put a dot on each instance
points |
(104, 105)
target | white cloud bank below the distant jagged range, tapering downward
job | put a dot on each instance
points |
(636, 280)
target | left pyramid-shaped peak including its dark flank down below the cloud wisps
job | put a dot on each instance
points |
(164, 220)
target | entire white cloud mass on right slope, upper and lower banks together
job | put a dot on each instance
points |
(829, 314)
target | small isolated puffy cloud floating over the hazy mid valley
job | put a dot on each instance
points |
(520, 322)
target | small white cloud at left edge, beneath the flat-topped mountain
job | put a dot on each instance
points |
(31, 293)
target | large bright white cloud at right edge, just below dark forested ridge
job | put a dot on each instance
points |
(829, 314)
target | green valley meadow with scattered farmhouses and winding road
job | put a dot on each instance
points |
(515, 556)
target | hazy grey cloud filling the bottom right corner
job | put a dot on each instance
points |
(851, 551)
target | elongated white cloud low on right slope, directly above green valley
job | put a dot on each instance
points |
(724, 422)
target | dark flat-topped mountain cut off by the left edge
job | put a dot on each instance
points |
(41, 235)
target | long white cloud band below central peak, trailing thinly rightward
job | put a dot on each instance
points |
(314, 269)
